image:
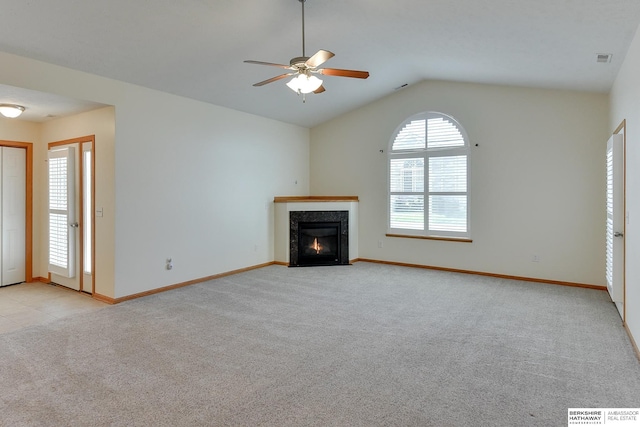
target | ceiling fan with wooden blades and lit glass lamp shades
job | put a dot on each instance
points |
(304, 69)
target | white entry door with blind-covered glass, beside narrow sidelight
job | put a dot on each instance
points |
(63, 222)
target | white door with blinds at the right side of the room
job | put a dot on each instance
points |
(615, 221)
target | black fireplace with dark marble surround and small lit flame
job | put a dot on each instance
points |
(319, 238)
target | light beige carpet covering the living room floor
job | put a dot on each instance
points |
(361, 345)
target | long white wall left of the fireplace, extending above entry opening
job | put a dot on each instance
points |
(193, 181)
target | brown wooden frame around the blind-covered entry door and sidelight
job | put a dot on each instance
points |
(88, 139)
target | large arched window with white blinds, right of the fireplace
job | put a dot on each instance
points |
(429, 178)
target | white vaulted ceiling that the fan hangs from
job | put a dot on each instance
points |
(196, 48)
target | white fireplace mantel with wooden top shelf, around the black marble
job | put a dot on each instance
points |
(286, 204)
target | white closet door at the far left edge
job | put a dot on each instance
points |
(13, 215)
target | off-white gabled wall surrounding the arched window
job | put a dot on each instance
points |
(537, 178)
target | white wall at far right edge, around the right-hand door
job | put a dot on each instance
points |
(625, 104)
